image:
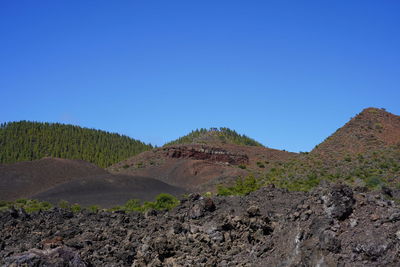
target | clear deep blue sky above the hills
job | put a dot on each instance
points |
(287, 73)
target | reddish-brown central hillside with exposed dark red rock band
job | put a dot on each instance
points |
(200, 166)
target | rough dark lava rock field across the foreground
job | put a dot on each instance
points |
(331, 226)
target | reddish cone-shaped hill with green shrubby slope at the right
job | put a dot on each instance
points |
(364, 152)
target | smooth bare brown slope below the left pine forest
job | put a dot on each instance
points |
(23, 179)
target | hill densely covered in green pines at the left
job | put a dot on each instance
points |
(25, 140)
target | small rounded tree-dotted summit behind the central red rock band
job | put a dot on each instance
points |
(215, 135)
